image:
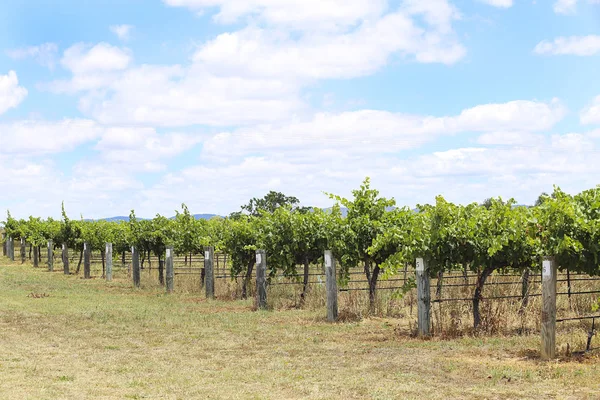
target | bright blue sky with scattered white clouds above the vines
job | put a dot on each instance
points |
(114, 105)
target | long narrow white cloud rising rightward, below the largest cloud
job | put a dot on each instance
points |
(381, 132)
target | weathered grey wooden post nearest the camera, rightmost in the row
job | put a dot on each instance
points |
(548, 308)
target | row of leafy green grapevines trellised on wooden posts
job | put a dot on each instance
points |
(448, 270)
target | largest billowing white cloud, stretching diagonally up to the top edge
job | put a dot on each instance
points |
(257, 75)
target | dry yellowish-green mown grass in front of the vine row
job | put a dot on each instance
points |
(62, 337)
